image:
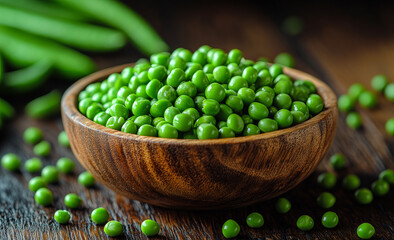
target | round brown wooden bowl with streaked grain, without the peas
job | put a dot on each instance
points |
(200, 174)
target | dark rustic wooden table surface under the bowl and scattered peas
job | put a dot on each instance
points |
(341, 44)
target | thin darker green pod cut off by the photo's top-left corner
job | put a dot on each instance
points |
(45, 8)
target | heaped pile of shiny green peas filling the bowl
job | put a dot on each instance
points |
(207, 94)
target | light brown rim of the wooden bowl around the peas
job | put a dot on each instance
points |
(70, 97)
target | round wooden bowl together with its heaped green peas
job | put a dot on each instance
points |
(200, 130)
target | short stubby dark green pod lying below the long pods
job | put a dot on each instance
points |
(27, 79)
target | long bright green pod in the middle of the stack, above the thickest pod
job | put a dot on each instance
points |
(75, 34)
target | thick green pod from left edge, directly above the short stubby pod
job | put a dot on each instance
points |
(21, 49)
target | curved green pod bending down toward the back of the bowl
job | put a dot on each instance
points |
(121, 17)
